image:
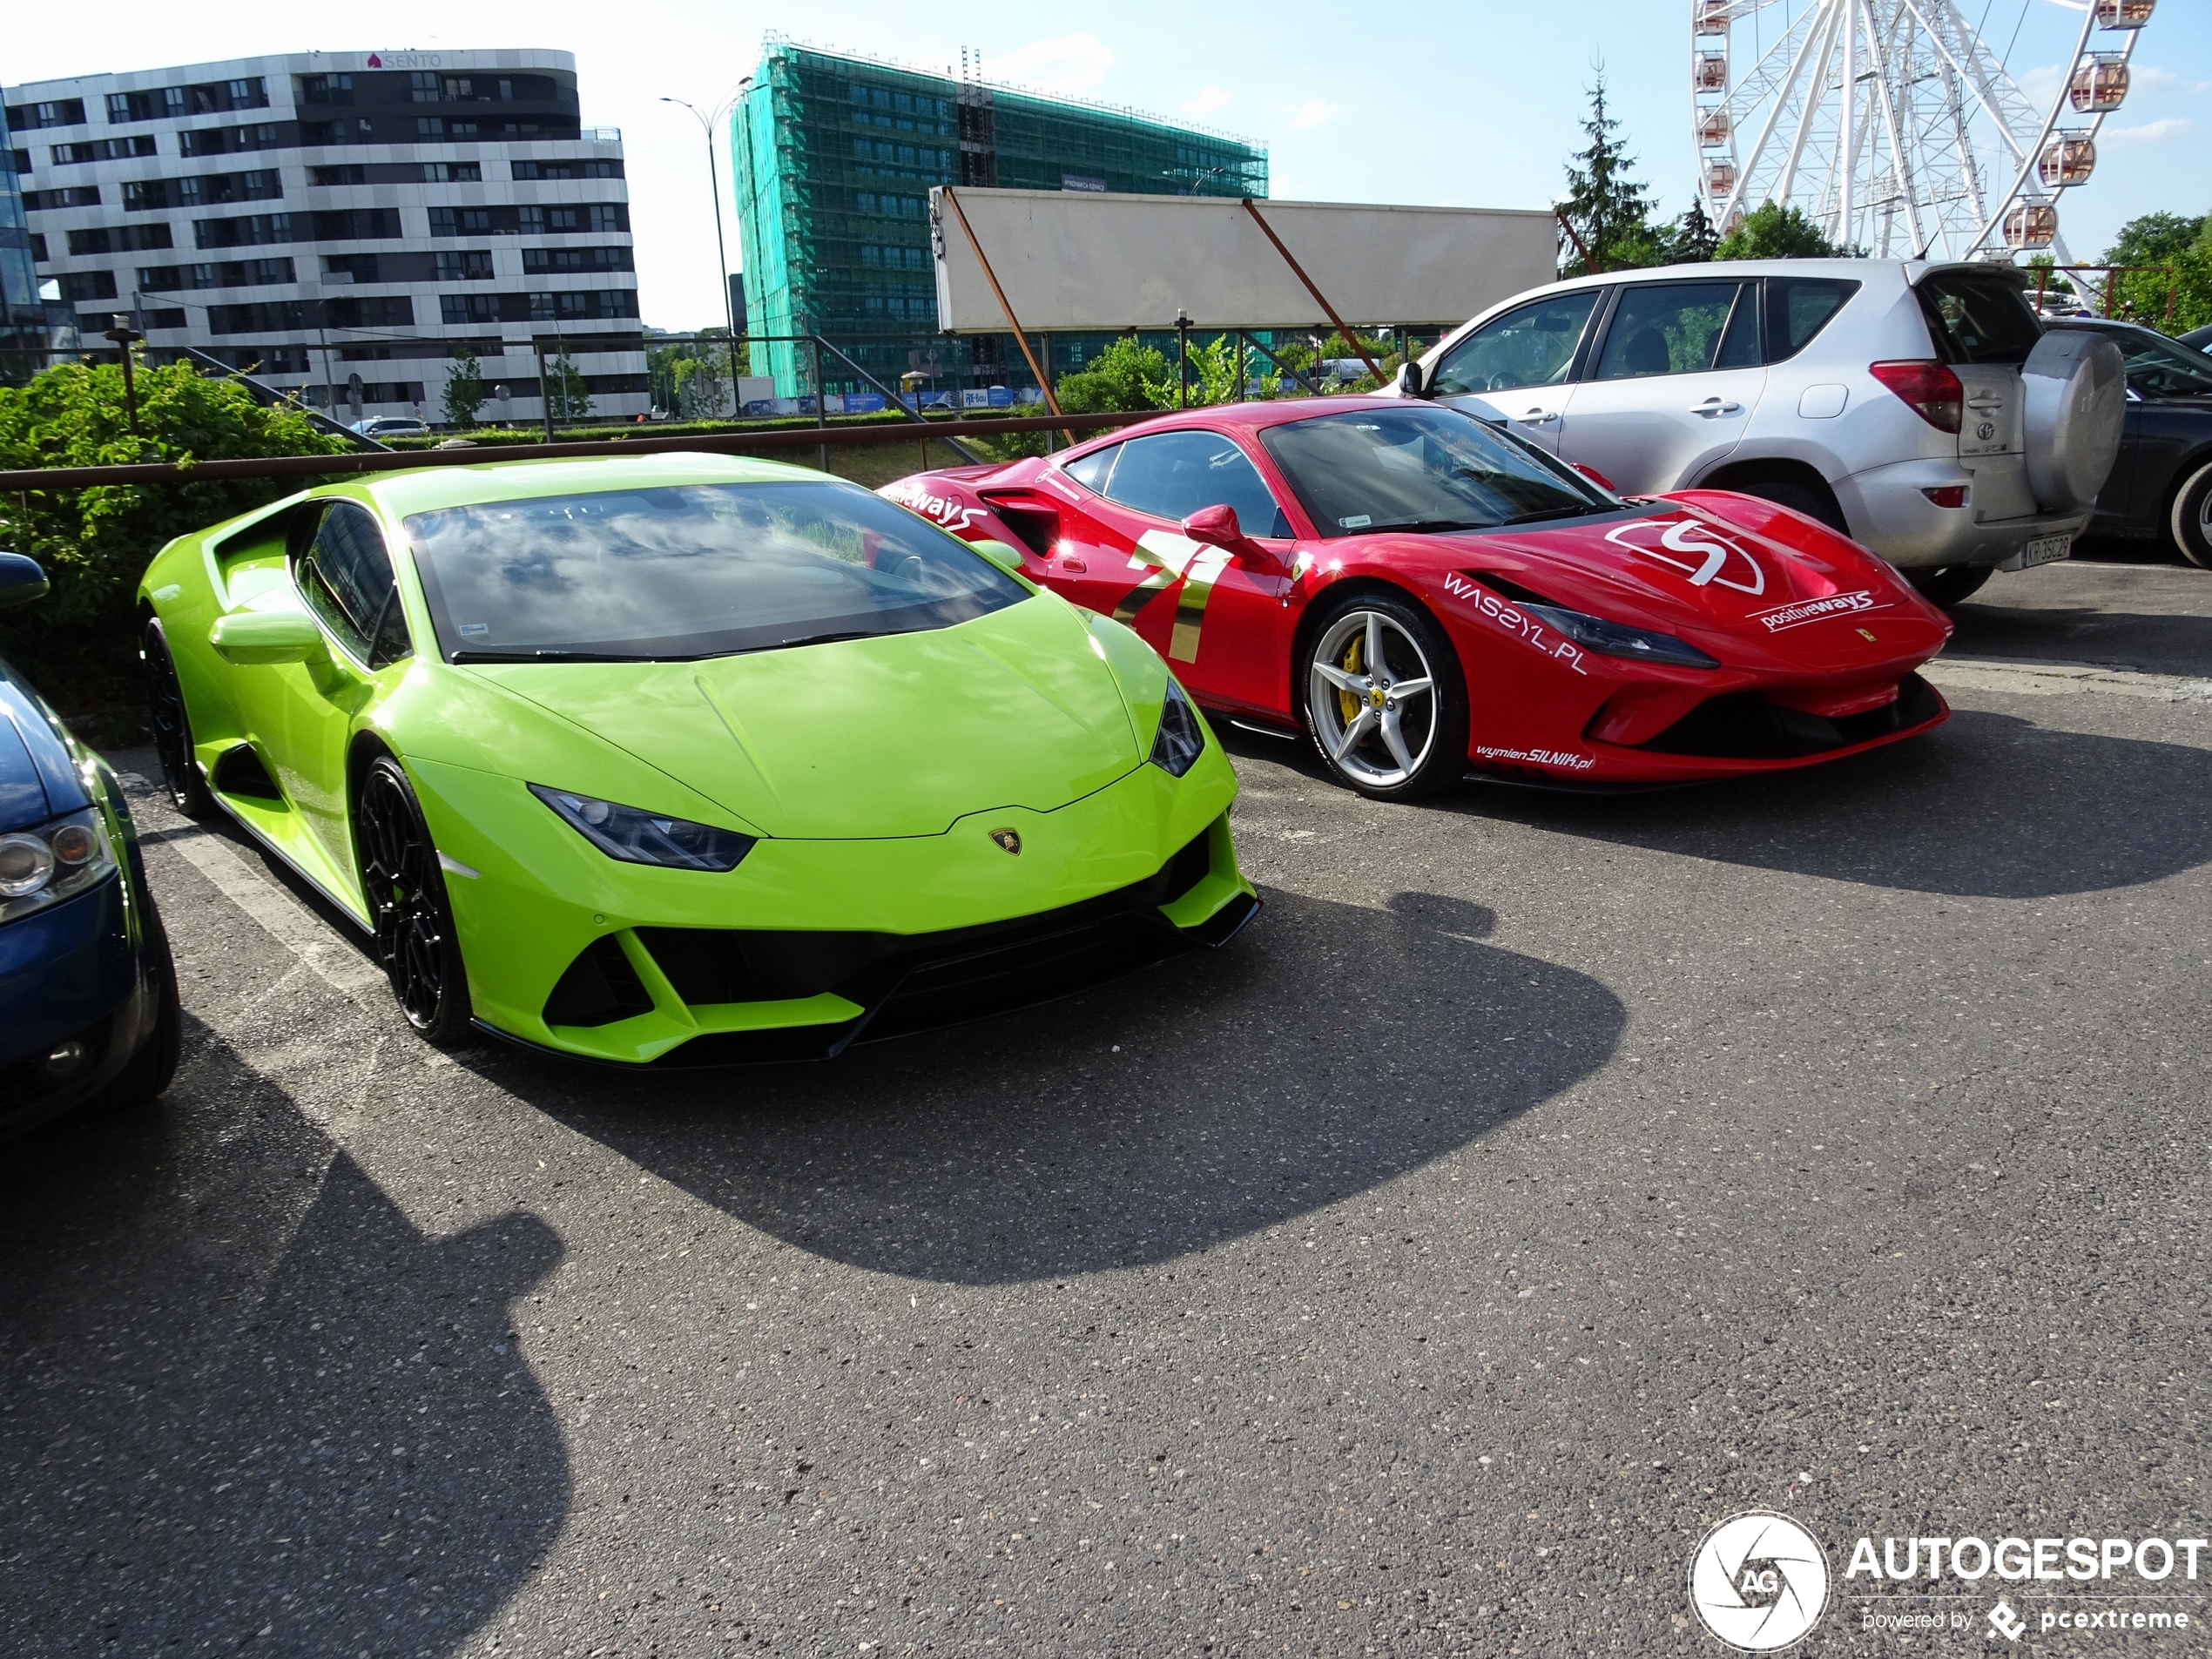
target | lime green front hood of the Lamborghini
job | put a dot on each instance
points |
(866, 738)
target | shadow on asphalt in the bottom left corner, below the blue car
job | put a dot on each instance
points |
(249, 1399)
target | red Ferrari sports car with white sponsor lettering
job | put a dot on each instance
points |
(1423, 594)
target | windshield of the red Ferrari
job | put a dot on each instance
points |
(1421, 468)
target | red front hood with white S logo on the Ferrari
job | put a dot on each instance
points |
(1678, 565)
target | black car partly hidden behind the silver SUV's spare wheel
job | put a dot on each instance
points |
(2162, 486)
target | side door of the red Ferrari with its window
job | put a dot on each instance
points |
(1215, 614)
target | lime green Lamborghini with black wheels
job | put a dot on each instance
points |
(687, 760)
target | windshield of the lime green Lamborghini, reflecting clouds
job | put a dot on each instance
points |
(691, 572)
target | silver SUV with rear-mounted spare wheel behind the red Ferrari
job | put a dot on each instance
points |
(1917, 408)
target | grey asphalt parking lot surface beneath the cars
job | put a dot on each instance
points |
(1538, 1182)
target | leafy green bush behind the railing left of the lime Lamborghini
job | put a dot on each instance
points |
(96, 541)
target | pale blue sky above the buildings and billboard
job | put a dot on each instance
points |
(1401, 101)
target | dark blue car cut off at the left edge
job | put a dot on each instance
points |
(87, 992)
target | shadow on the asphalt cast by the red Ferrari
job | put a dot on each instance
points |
(1985, 806)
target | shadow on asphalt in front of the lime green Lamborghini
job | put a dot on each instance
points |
(1326, 1052)
